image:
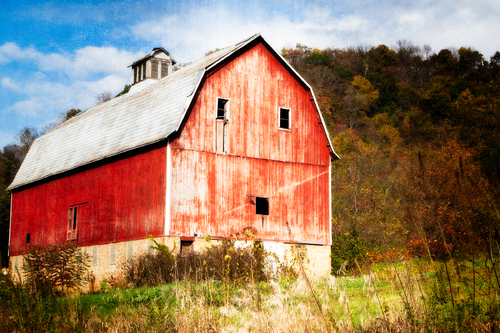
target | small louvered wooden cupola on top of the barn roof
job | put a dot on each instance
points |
(154, 66)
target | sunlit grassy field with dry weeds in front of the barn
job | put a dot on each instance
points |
(410, 296)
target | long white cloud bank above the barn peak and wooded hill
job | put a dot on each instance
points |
(335, 24)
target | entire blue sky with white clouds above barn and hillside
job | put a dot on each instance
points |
(58, 55)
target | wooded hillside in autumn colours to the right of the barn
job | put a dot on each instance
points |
(418, 135)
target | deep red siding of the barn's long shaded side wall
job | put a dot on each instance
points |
(121, 201)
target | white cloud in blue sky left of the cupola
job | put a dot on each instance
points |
(89, 71)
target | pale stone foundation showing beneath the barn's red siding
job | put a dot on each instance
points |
(108, 260)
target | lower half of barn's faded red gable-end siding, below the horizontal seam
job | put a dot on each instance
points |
(218, 197)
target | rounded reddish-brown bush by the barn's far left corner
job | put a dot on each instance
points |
(55, 269)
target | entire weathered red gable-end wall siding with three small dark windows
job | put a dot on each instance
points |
(210, 192)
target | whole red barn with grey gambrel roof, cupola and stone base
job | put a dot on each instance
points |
(232, 142)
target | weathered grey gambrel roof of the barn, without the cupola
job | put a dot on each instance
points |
(133, 120)
